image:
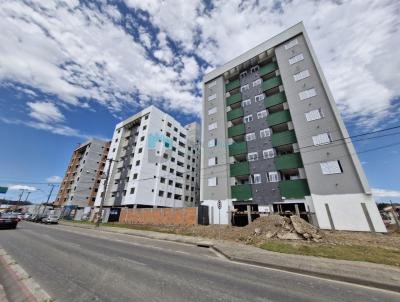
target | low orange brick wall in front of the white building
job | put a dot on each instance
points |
(170, 216)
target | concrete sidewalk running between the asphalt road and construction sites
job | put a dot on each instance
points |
(363, 273)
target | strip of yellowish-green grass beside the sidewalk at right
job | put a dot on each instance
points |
(342, 252)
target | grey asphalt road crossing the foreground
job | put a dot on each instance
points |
(74, 264)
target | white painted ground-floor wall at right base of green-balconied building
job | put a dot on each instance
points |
(347, 213)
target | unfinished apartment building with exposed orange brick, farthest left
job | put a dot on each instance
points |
(82, 178)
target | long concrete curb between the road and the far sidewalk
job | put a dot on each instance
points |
(205, 244)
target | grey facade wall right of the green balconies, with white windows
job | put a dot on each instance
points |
(347, 182)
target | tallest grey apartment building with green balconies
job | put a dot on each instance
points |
(274, 139)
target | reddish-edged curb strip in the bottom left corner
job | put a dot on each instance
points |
(33, 289)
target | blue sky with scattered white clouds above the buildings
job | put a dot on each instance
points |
(71, 70)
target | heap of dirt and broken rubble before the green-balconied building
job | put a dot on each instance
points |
(275, 226)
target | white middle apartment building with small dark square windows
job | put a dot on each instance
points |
(155, 162)
